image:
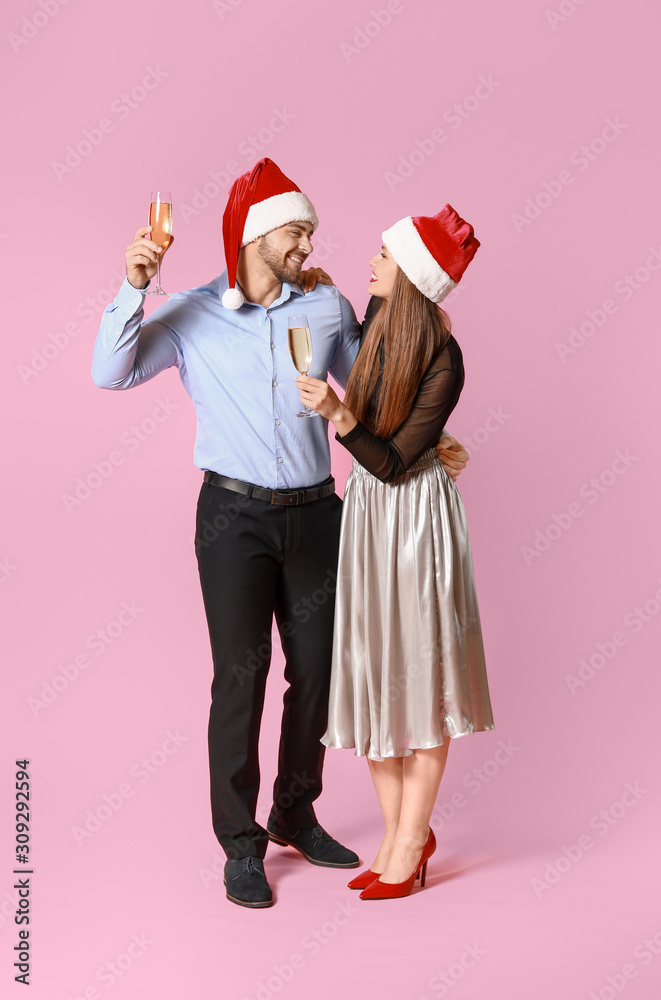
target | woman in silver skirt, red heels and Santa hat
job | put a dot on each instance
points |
(408, 671)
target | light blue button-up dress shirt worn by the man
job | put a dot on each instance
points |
(236, 367)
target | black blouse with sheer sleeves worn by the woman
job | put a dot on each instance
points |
(436, 398)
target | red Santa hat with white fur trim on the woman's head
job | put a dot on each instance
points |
(432, 251)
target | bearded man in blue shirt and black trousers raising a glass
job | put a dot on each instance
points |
(268, 517)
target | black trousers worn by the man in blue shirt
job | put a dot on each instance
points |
(255, 560)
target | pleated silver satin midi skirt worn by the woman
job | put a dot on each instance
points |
(408, 668)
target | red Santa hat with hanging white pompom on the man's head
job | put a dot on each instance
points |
(260, 200)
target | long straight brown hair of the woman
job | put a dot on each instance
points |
(405, 335)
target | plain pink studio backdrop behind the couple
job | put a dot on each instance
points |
(546, 880)
